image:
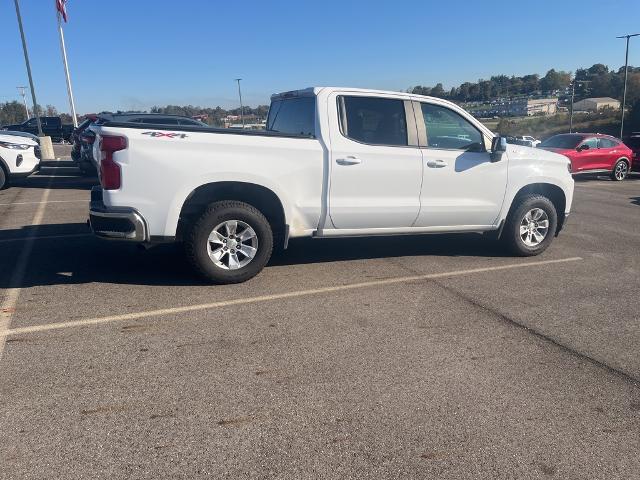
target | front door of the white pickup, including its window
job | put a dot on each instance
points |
(461, 186)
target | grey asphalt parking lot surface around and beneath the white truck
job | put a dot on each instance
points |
(406, 357)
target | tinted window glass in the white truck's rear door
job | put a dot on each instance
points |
(374, 120)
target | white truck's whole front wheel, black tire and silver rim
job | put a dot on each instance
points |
(530, 226)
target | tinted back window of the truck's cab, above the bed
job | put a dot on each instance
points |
(295, 116)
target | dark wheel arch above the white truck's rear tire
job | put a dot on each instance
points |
(260, 197)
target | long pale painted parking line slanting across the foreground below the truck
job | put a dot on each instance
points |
(278, 296)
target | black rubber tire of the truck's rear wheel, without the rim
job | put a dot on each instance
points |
(196, 241)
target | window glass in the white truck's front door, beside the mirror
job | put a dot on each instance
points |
(449, 130)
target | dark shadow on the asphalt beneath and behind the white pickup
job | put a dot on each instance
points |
(86, 259)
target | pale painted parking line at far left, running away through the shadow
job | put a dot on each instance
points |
(11, 297)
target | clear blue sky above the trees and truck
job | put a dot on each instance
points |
(127, 54)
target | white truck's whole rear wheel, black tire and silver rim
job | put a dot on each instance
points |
(230, 242)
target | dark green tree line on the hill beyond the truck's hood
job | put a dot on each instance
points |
(595, 81)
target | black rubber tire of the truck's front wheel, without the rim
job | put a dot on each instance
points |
(511, 234)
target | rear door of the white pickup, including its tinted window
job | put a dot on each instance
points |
(375, 162)
